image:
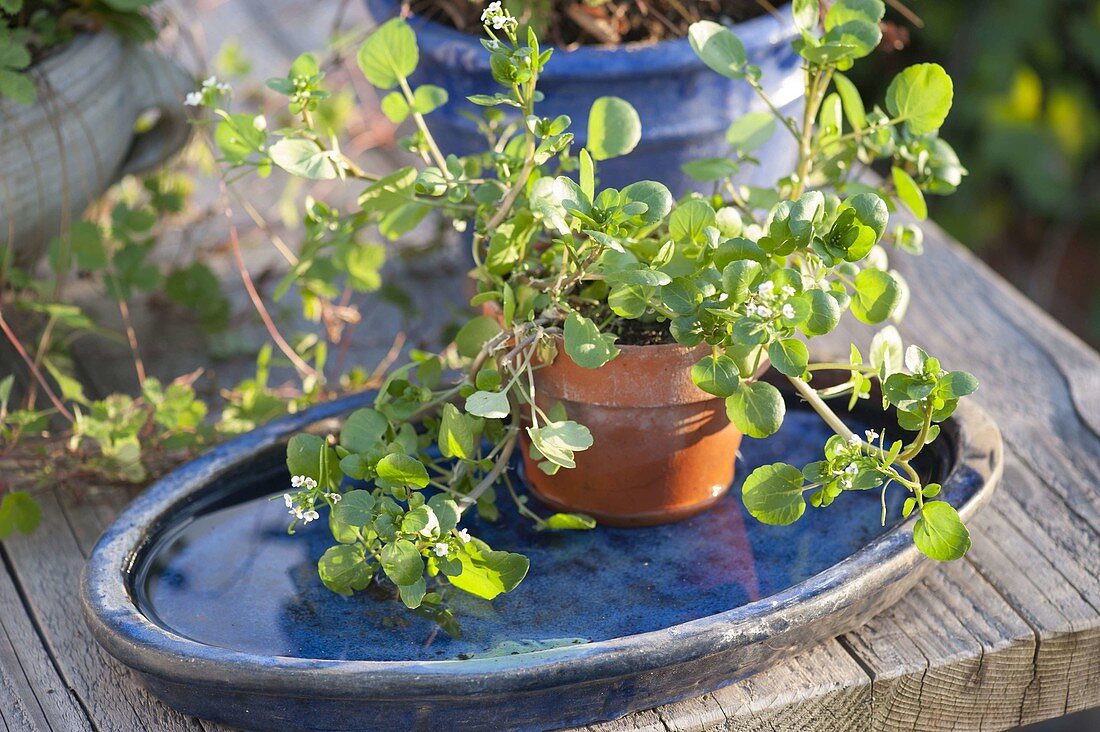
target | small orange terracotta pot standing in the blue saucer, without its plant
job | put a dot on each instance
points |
(664, 450)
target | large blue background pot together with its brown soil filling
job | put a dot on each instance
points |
(644, 57)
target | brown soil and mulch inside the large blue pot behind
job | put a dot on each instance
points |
(568, 24)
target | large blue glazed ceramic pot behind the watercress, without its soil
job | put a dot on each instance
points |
(685, 107)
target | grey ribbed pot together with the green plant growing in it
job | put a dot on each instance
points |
(75, 88)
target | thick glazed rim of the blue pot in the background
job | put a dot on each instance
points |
(466, 51)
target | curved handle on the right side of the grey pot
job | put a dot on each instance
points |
(156, 84)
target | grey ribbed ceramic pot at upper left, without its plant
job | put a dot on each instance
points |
(65, 150)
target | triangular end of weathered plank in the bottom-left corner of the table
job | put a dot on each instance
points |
(32, 695)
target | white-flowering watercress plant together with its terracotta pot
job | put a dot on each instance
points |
(621, 322)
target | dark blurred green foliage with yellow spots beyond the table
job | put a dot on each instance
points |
(1028, 127)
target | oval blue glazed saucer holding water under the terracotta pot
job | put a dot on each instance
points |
(200, 589)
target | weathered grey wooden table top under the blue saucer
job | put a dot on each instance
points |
(1009, 636)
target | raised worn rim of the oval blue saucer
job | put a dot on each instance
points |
(160, 653)
